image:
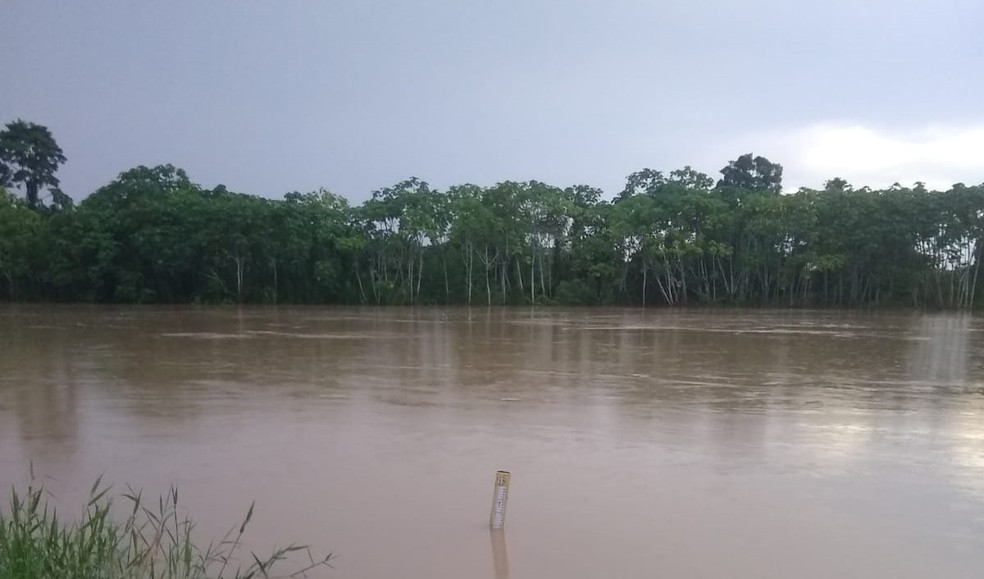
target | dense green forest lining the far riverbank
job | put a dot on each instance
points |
(676, 238)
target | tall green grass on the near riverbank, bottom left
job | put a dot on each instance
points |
(148, 542)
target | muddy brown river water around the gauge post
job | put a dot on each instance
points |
(681, 444)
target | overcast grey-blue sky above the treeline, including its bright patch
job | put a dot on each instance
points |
(273, 96)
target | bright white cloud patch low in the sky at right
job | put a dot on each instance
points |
(937, 155)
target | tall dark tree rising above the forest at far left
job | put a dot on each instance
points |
(29, 158)
